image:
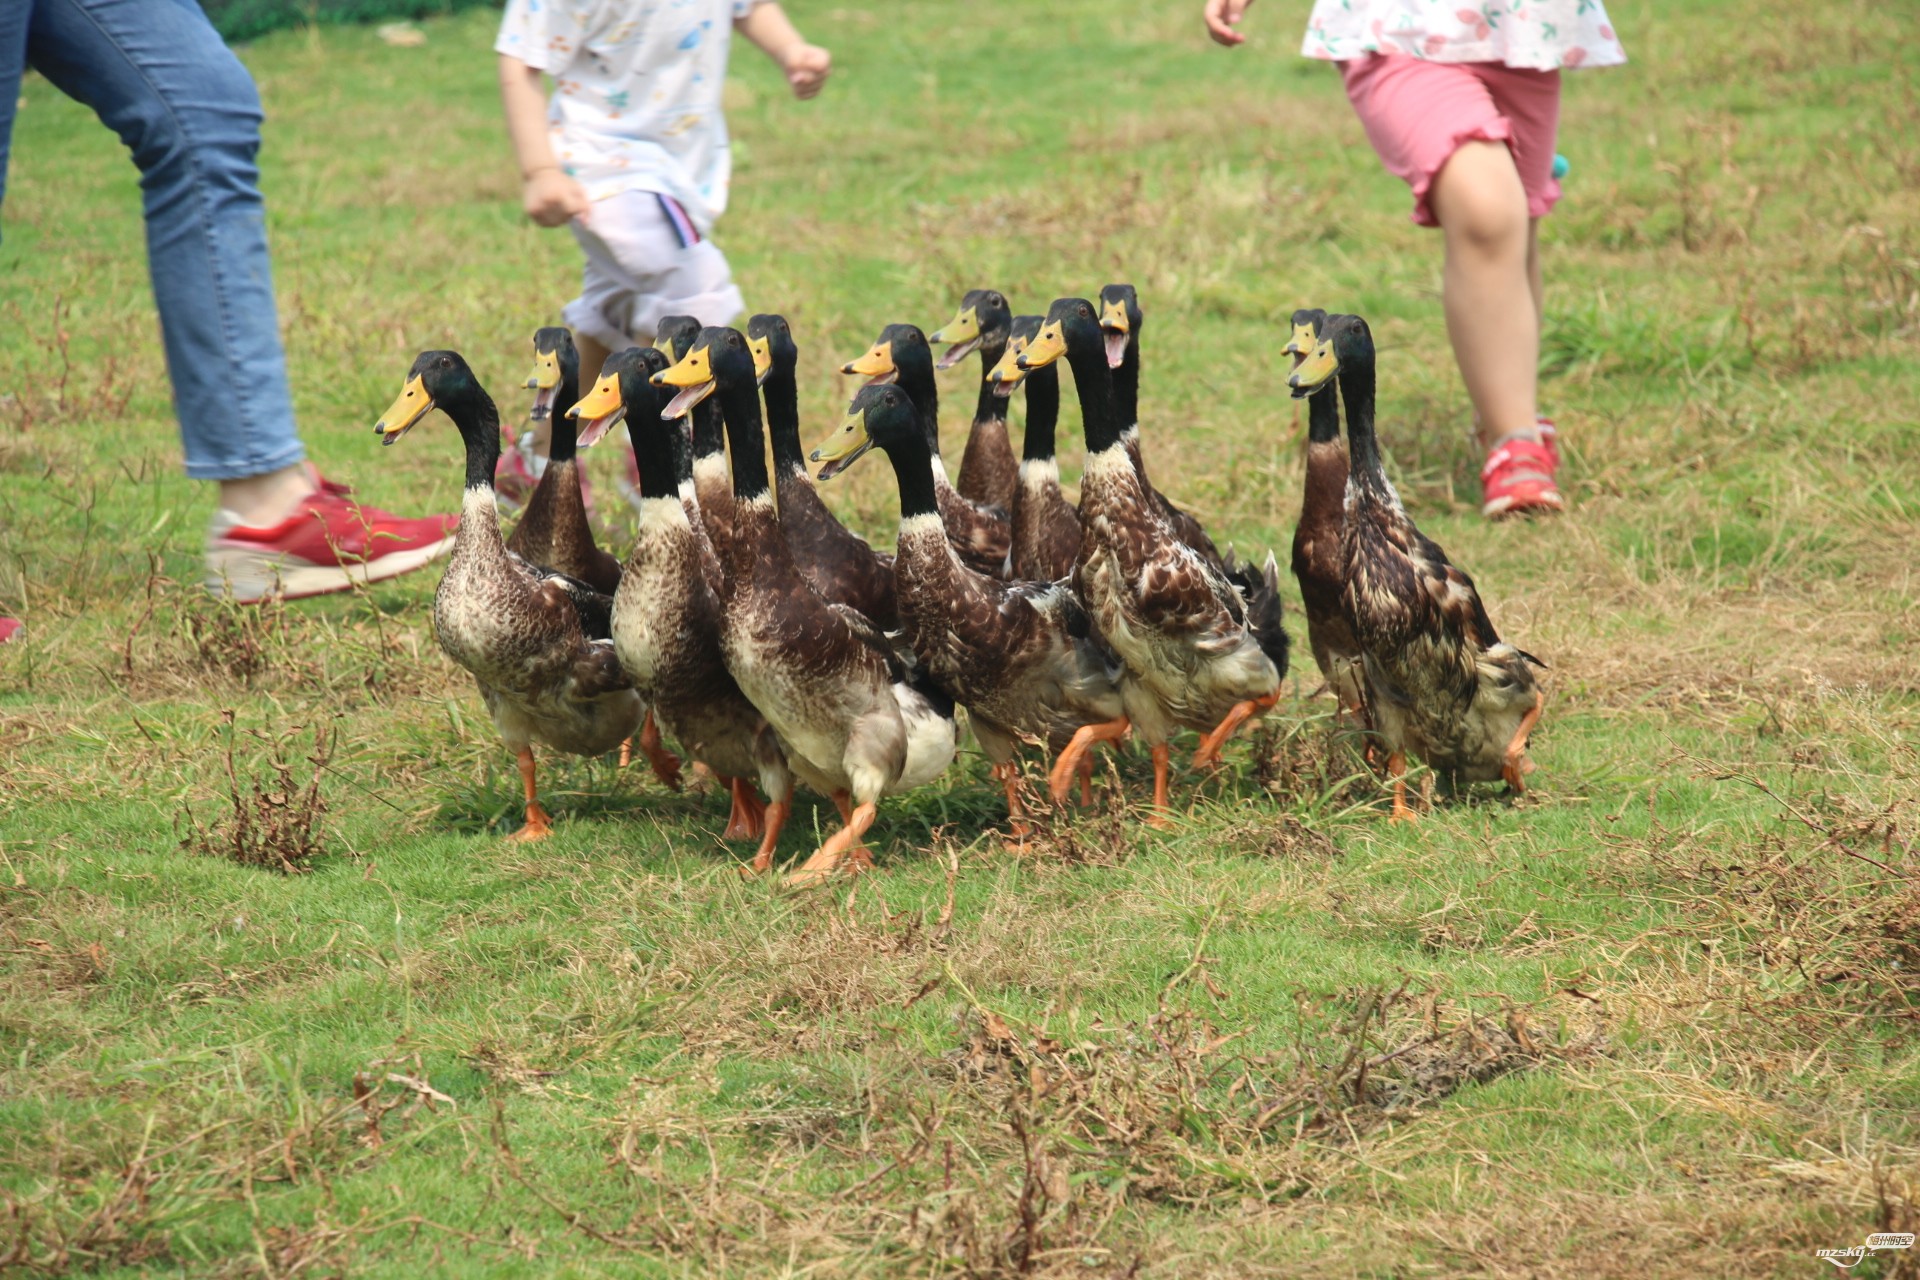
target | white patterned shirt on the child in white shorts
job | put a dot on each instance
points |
(636, 93)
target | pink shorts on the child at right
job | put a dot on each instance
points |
(1420, 112)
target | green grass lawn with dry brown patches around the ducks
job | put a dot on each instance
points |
(1658, 1020)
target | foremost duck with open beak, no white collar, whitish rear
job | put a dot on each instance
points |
(855, 723)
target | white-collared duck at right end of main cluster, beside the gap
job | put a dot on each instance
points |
(1184, 630)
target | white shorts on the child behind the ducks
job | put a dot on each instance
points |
(646, 262)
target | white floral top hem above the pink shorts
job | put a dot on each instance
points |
(1539, 36)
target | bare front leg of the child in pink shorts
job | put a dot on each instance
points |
(1493, 314)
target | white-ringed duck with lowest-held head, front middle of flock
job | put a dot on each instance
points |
(1022, 657)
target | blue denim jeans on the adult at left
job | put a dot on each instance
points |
(168, 85)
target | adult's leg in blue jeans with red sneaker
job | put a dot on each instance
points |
(187, 110)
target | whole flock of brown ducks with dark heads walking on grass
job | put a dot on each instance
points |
(775, 646)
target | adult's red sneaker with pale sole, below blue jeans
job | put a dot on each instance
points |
(331, 544)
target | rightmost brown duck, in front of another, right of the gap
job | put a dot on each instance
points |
(1439, 680)
